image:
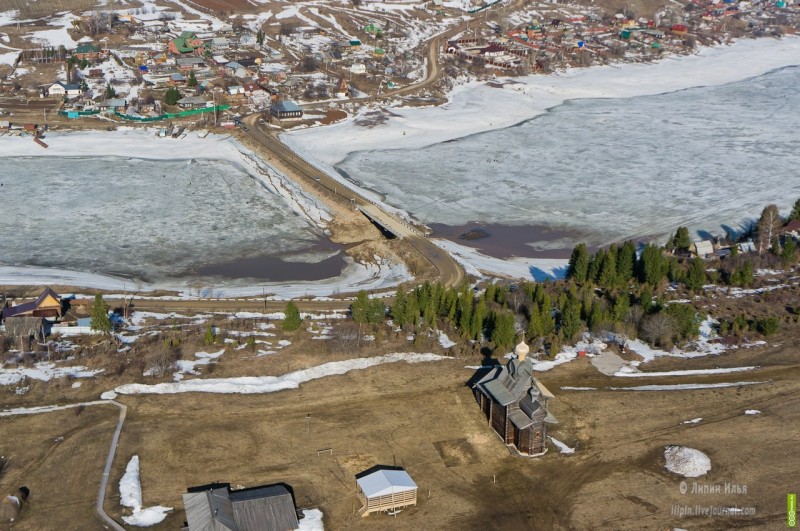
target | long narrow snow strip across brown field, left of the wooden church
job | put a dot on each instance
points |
(271, 384)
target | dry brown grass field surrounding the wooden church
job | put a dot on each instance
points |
(423, 417)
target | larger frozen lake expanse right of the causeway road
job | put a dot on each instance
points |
(604, 170)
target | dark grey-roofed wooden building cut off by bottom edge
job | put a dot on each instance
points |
(217, 507)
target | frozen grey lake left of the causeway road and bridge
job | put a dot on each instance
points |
(155, 220)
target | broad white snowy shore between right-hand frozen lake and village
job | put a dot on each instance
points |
(477, 107)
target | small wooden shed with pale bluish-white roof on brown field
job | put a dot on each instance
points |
(386, 490)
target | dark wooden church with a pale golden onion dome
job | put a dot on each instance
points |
(515, 404)
